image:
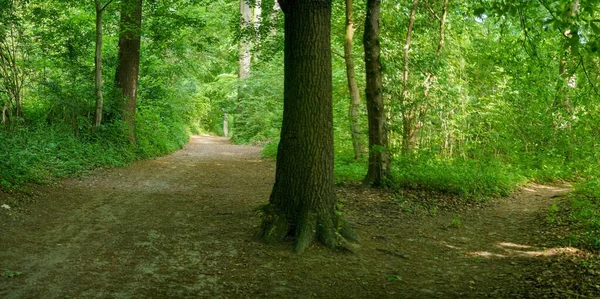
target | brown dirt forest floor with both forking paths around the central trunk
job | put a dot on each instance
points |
(182, 226)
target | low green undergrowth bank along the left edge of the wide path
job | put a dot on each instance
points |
(37, 154)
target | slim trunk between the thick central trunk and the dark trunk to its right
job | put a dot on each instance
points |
(357, 145)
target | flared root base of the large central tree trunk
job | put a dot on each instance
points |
(331, 231)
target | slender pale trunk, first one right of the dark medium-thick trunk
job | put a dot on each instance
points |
(410, 111)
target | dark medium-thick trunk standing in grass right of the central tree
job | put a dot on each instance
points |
(379, 158)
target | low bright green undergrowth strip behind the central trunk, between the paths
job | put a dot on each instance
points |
(469, 179)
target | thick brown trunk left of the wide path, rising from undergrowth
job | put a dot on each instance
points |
(126, 77)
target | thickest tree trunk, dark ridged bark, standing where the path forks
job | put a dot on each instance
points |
(303, 200)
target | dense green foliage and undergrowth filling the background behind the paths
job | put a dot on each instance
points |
(508, 93)
